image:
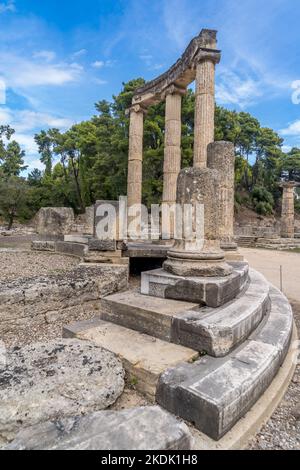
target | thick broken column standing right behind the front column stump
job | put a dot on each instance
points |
(221, 157)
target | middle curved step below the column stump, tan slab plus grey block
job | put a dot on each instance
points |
(213, 330)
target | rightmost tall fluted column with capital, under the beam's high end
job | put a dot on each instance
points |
(204, 107)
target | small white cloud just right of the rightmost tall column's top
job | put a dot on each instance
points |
(234, 90)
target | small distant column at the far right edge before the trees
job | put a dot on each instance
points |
(288, 210)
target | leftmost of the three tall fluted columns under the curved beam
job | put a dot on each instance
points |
(135, 155)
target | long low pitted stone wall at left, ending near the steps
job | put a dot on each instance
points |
(59, 297)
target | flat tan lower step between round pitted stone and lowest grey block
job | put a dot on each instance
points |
(144, 357)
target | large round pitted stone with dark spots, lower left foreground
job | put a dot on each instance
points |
(55, 380)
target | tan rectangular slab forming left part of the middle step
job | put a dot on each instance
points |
(150, 315)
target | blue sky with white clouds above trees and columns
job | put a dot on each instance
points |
(57, 58)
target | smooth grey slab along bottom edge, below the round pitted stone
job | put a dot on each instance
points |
(147, 428)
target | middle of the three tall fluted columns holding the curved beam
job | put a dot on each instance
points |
(172, 156)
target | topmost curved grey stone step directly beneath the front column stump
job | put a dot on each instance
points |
(212, 292)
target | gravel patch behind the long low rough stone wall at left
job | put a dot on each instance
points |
(14, 265)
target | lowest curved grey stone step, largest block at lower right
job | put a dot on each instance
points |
(214, 393)
